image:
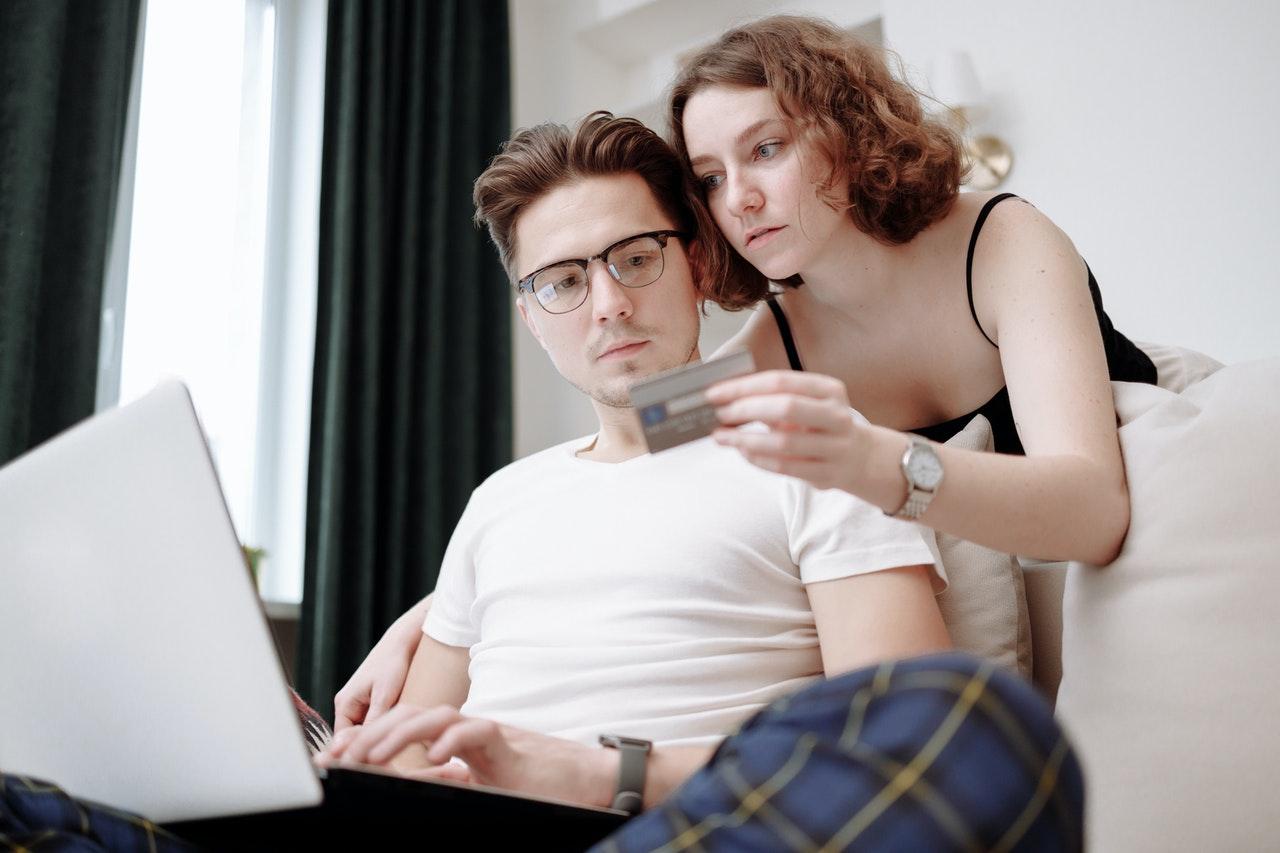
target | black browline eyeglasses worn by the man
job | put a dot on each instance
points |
(633, 262)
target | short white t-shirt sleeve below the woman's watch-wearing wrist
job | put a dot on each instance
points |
(835, 535)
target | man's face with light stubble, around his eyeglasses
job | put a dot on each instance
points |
(620, 335)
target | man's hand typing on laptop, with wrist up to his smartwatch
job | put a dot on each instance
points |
(422, 742)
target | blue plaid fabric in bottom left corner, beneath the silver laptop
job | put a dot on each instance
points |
(39, 816)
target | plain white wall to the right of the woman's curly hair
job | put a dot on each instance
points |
(1149, 131)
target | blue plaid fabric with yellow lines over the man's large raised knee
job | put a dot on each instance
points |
(932, 754)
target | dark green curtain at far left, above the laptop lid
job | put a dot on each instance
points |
(66, 69)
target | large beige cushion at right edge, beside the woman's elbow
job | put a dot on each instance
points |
(1172, 654)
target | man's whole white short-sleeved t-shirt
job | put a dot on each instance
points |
(661, 597)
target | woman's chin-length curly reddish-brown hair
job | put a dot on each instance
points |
(902, 170)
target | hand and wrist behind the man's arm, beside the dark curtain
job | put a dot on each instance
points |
(377, 686)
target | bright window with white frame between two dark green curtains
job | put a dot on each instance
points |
(221, 277)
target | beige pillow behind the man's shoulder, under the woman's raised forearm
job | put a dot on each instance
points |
(985, 604)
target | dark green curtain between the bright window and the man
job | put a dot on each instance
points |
(412, 402)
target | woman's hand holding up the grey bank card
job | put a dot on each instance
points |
(812, 432)
